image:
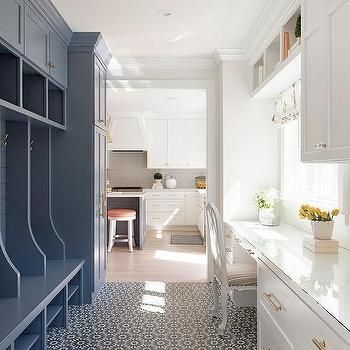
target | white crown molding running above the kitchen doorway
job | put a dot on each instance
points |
(166, 63)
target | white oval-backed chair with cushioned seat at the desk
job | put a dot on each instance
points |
(231, 277)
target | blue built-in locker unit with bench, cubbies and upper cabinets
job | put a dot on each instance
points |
(38, 278)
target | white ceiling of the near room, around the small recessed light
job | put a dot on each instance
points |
(133, 28)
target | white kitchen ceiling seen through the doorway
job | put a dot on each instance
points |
(156, 103)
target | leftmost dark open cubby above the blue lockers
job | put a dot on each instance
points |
(9, 82)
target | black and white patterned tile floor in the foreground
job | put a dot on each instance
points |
(153, 315)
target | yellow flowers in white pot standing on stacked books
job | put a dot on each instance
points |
(322, 221)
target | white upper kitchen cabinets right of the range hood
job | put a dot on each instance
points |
(176, 144)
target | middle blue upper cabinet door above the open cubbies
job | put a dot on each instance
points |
(36, 40)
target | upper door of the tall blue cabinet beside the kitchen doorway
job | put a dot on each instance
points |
(100, 95)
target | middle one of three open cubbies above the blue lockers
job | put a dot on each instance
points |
(34, 90)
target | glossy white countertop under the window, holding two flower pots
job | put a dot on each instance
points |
(324, 277)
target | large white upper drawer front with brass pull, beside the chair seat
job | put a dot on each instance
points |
(278, 301)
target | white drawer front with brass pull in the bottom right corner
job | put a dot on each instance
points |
(316, 334)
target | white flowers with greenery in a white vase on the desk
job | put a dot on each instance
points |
(266, 201)
